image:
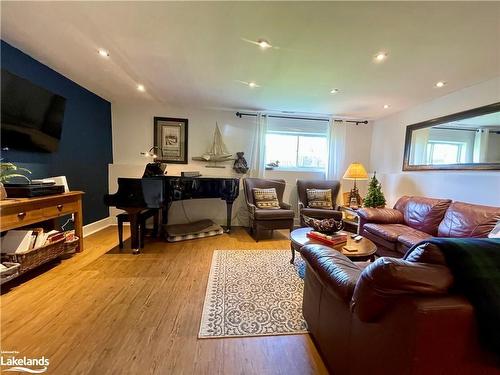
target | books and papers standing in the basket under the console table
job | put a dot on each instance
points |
(22, 241)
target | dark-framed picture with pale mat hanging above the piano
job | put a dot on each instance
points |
(171, 139)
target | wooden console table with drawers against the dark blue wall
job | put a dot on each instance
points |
(20, 212)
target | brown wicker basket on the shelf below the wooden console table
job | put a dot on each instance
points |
(36, 257)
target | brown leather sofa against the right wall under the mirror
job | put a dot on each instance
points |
(413, 219)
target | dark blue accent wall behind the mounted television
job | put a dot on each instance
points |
(85, 149)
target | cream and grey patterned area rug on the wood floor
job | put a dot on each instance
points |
(253, 293)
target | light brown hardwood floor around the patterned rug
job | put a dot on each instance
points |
(106, 312)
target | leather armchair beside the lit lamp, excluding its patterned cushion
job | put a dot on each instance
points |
(317, 213)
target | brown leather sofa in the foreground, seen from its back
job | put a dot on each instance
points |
(394, 317)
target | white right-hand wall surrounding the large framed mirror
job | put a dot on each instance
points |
(388, 145)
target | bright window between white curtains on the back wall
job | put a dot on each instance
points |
(297, 143)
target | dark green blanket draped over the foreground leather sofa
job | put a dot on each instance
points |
(475, 264)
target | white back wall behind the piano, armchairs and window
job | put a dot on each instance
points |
(133, 133)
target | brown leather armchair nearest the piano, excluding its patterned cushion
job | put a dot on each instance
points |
(267, 219)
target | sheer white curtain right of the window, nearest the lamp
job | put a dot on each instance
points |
(336, 150)
